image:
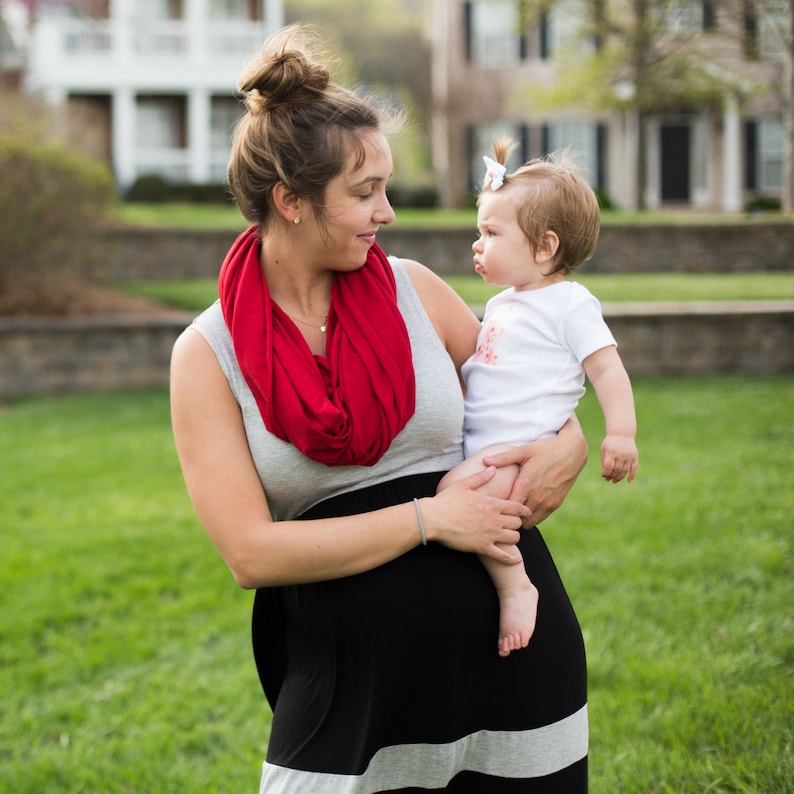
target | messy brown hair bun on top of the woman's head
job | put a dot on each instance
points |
(285, 71)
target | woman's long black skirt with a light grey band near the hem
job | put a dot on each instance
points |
(390, 680)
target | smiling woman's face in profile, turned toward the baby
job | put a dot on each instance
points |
(355, 206)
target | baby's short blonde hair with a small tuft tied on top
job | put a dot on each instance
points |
(556, 197)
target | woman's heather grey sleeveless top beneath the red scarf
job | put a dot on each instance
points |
(431, 441)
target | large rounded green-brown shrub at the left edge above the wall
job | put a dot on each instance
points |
(51, 200)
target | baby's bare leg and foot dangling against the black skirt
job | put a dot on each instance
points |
(518, 597)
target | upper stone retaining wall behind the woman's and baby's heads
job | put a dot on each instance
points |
(151, 254)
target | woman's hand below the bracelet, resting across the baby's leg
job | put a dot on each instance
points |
(468, 521)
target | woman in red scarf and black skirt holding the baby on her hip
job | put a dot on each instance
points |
(315, 408)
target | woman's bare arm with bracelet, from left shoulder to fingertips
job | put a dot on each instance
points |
(228, 498)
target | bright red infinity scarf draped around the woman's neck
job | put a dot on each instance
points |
(342, 409)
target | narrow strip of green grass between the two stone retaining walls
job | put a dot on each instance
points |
(198, 293)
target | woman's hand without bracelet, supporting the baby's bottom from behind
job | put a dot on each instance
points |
(548, 469)
